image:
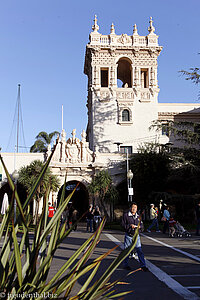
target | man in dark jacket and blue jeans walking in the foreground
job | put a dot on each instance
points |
(130, 221)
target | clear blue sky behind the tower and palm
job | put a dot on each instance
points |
(43, 47)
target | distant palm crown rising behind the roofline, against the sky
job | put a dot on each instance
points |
(43, 139)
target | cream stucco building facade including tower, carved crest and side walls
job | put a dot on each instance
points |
(122, 104)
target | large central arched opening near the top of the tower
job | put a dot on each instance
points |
(124, 73)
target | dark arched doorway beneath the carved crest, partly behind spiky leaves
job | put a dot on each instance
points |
(80, 199)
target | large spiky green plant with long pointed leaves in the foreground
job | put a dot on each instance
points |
(20, 274)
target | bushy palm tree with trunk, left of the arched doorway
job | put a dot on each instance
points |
(29, 174)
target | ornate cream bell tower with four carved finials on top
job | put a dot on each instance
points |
(122, 88)
